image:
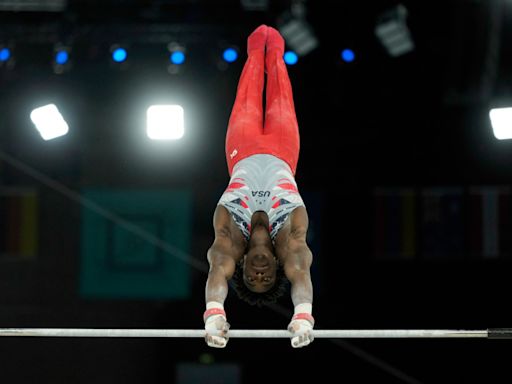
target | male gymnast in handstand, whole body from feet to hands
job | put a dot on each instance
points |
(260, 222)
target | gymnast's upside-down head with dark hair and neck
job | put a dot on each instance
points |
(259, 278)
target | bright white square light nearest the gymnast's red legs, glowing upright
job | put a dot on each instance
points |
(165, 122)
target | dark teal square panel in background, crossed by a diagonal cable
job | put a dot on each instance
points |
(117, 262)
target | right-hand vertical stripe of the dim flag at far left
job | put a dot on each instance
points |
(29, 236)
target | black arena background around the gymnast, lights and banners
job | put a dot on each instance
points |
(415, 121)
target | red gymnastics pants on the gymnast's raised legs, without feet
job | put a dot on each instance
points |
(279, 134)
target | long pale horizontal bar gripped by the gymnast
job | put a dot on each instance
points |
(249, 333)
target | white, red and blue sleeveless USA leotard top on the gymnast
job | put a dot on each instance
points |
(261, 183)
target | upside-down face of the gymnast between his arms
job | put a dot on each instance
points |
(260, 268)
